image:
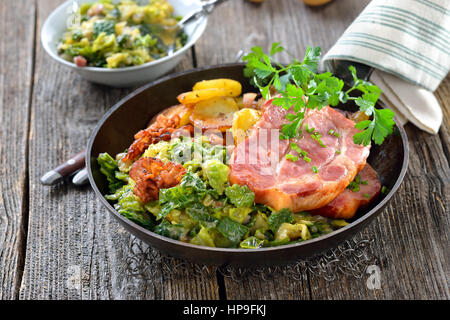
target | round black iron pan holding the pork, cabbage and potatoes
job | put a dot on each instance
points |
(115, 132)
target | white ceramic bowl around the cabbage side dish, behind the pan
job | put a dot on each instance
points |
(56, 24)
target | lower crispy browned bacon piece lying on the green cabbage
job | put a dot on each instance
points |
(151, 174)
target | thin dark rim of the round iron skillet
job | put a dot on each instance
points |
(376, 210)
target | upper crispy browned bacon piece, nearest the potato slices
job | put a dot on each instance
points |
(161, 129)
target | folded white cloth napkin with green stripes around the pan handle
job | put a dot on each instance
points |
(407, 42)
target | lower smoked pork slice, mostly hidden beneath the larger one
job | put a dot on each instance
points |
(348, 202)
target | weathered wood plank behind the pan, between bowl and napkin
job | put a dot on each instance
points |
(240, 25)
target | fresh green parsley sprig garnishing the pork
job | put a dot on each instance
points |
(301, 87)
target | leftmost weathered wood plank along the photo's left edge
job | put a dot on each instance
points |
(16, 65)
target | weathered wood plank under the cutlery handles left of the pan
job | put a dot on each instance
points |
(75, 250)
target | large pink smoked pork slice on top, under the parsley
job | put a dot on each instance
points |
(260, 161)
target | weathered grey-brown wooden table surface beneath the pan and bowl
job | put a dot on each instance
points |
(59, 243)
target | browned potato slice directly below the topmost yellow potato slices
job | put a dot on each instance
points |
(215, 113)
